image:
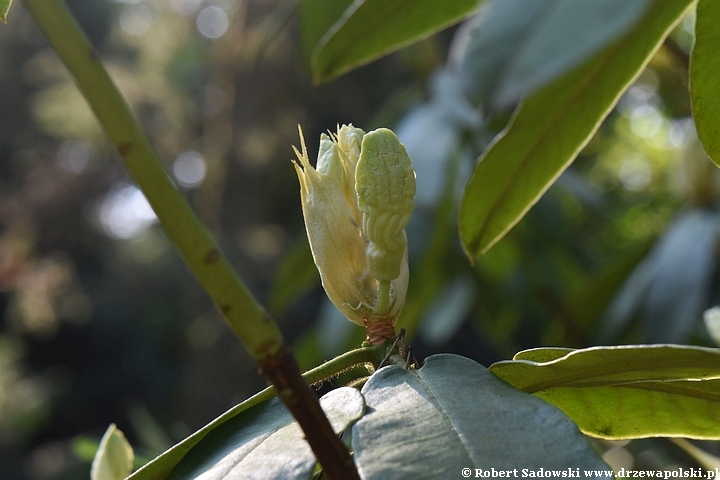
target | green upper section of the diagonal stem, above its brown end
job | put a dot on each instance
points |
(246, 316)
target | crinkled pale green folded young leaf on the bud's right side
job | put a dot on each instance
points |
(385, 185)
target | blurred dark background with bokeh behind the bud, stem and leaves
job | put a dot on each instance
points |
(101, 322)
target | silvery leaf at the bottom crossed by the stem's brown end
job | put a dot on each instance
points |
(265, 442)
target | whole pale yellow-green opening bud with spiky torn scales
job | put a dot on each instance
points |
(356, 204)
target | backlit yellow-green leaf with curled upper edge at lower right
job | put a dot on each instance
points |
(627, 391)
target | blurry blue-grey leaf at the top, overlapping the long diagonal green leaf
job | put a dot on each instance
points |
(517, 46)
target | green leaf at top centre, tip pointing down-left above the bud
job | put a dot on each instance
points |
(370, 29)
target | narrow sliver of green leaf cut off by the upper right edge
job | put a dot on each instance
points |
(704, 74)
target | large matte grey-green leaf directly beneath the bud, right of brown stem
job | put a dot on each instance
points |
(453, 414)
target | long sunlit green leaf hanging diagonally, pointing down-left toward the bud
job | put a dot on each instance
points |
(551, 127)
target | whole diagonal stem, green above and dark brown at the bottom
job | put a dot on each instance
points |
(255, 328)
